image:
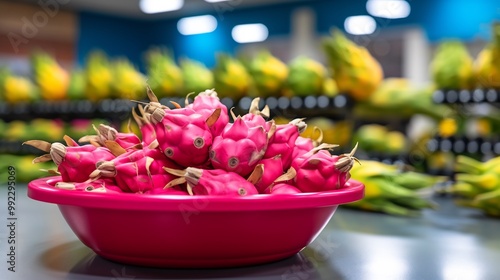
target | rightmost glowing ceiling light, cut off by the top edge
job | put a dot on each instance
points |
(388, 8)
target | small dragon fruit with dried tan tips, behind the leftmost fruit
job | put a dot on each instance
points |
(107, 133)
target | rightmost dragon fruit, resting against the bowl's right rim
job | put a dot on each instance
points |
(318, 170)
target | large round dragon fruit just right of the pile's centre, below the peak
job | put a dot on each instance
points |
(239, 148)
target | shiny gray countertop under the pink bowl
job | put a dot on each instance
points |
(450, 243)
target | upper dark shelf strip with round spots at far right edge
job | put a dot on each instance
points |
(466, 96)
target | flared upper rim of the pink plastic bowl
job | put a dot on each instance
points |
(43, 189)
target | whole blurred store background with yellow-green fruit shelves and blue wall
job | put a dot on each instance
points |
(413, 82)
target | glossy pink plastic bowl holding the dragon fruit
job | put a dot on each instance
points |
(194, 231)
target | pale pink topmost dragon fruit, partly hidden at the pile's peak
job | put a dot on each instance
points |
(205, 103)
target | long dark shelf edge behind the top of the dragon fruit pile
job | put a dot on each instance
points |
(119, 109)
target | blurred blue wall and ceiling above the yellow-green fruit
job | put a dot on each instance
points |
(402, 39)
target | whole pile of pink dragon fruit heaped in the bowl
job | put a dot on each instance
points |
(197, 150)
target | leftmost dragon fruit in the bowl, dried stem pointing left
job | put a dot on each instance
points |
(74, 163)
